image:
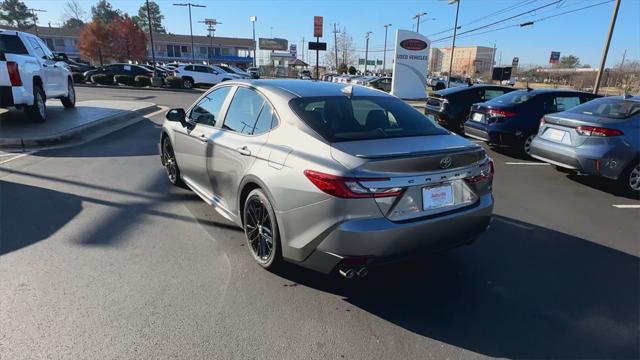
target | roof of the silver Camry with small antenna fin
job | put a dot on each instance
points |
(305, 88)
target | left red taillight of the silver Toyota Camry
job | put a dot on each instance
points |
(349, 188)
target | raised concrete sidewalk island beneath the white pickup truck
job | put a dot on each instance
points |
(87, 121)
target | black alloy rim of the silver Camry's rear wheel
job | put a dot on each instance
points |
(259, 230)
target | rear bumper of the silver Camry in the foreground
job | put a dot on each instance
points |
(381, 240)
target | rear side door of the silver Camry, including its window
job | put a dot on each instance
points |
(245, 130)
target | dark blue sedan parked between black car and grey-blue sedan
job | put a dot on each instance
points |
(513, 119)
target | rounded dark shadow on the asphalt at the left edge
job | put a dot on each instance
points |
(26, 215)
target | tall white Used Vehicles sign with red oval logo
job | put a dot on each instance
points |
(410, 65)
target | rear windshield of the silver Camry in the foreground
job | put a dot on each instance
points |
(339, 118)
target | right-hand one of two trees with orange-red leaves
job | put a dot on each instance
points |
(128, 41)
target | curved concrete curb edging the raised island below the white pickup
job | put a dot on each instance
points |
(80, 133)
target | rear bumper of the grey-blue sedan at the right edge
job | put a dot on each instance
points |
(607, 160)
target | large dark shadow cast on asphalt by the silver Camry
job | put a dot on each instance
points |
(521, 291)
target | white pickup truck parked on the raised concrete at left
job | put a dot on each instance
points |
(30, 74)
